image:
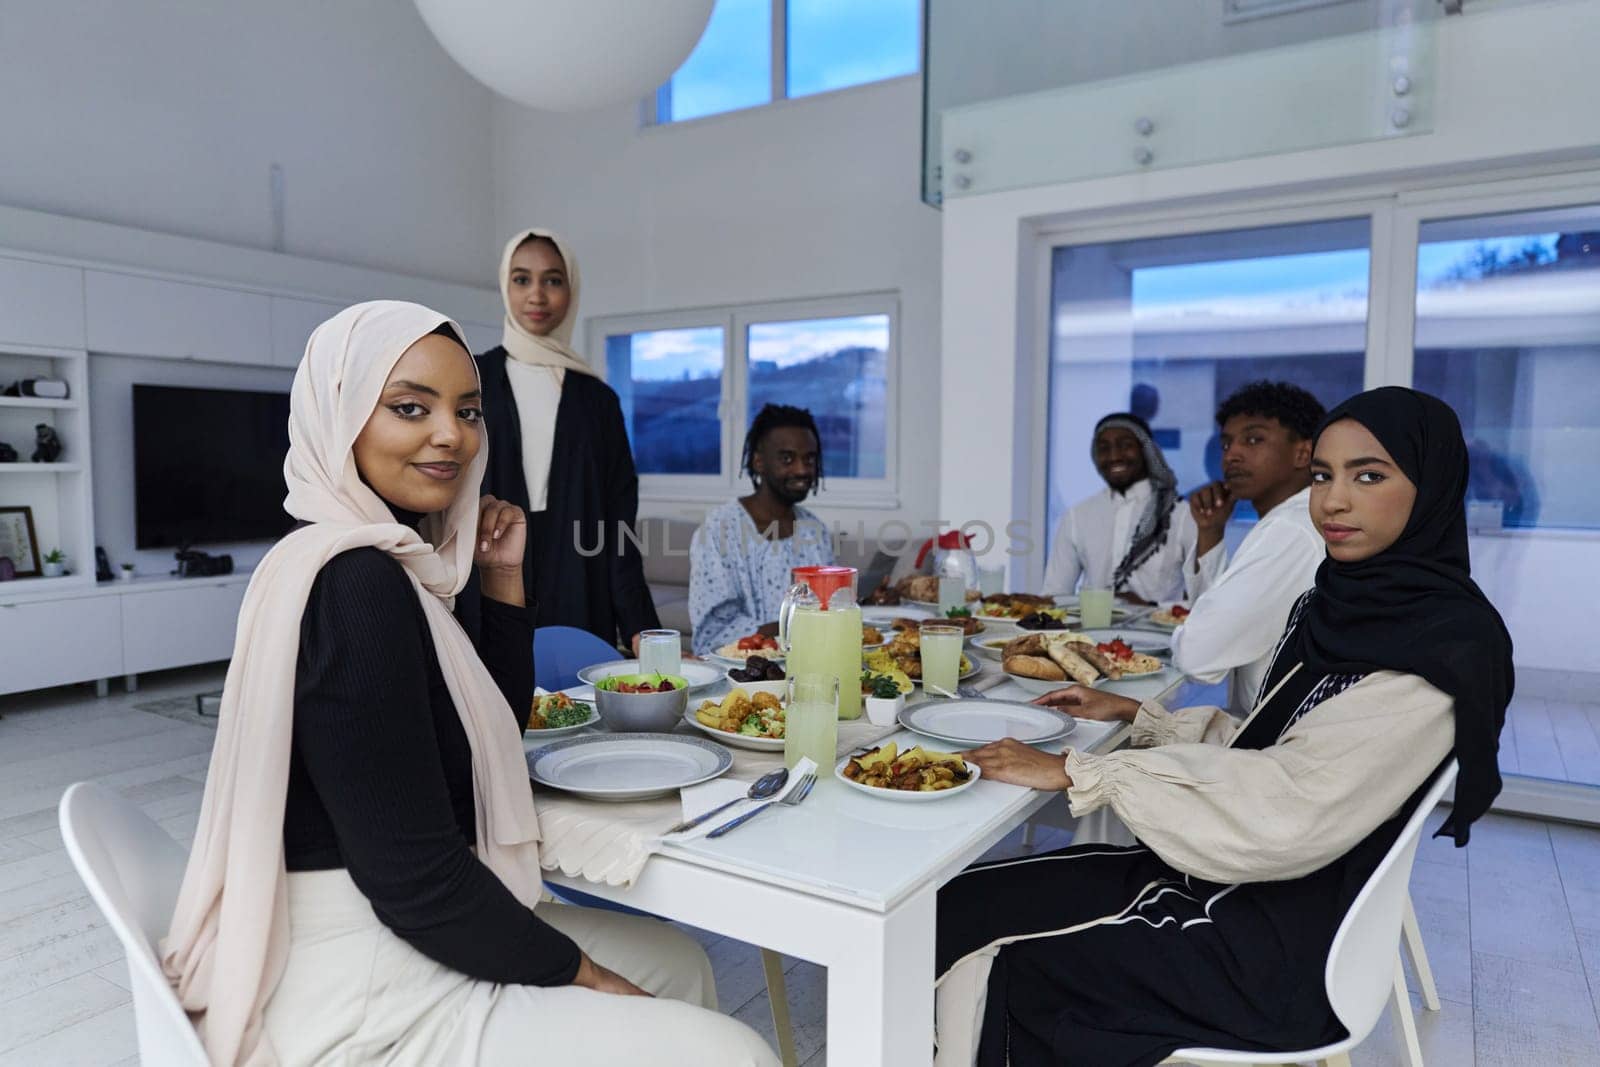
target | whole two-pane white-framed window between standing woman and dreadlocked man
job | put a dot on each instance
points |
(692, 382)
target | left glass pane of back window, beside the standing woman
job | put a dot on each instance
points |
(670, 383)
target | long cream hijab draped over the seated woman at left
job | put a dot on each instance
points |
(230, 937)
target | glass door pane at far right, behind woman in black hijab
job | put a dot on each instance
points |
(1508, 332)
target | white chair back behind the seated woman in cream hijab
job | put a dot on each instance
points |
(134, 869)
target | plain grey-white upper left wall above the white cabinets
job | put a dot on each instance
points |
(167, 114)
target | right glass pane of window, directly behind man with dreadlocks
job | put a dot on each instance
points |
(838, 369)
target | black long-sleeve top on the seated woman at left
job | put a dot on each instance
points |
(382, 772)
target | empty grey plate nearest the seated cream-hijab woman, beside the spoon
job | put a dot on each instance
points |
(626, 767)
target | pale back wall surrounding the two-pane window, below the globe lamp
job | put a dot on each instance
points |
(804, 199)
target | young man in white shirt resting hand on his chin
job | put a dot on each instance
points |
(1241, 605)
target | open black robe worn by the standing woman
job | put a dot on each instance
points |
(580, 569)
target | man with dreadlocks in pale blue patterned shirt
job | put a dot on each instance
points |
(742, 556)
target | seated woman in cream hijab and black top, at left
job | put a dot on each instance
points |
(364, 884)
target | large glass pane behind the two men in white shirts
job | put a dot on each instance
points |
(1170, 327)
